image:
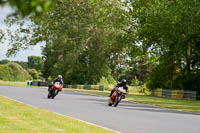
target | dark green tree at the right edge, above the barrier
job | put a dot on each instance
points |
(170, 32)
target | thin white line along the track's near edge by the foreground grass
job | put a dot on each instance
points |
(63, 115)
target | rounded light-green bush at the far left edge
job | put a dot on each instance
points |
(13, 72)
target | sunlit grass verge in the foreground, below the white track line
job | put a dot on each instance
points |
(20, 118)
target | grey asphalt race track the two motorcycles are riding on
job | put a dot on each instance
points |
(128, 117)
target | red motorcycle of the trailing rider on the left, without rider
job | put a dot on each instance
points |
(57, 87)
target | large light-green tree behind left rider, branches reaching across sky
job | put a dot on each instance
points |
(82, 45)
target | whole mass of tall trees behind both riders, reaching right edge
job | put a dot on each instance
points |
(155, 42)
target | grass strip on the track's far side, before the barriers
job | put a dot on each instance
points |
(135, 95)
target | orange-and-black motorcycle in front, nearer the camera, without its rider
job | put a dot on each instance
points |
(116, 97)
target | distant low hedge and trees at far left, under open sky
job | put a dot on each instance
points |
(21, 70)
